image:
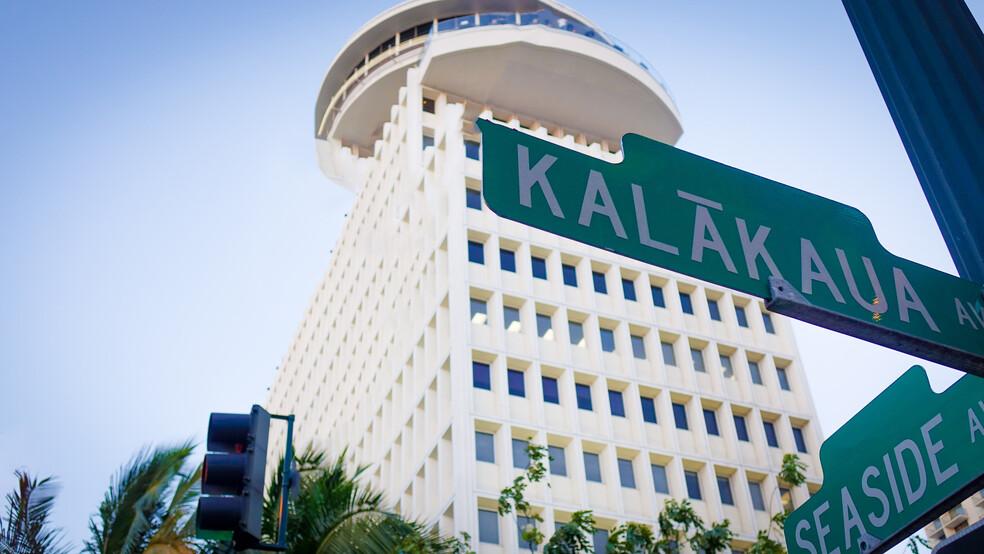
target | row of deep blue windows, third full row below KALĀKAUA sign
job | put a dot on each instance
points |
(516, 382)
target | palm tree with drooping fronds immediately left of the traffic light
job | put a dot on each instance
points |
(150, 506)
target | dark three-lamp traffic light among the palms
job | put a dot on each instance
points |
(231, 505)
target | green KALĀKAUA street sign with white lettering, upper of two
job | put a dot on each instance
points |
(695, 216)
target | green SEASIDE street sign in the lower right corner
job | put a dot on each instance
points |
(904, 459)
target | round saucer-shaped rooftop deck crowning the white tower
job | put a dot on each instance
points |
(535, 57)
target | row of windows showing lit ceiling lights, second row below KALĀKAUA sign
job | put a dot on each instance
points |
(512, 322)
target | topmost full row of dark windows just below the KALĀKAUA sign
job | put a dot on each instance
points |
(507, 262)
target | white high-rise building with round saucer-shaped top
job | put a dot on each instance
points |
(443, 337)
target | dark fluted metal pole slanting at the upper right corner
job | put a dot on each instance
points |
(928, 59)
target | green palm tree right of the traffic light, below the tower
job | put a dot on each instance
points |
(332, 512)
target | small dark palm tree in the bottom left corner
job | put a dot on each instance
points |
(27, 529)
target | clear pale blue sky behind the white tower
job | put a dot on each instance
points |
(163, 221)
